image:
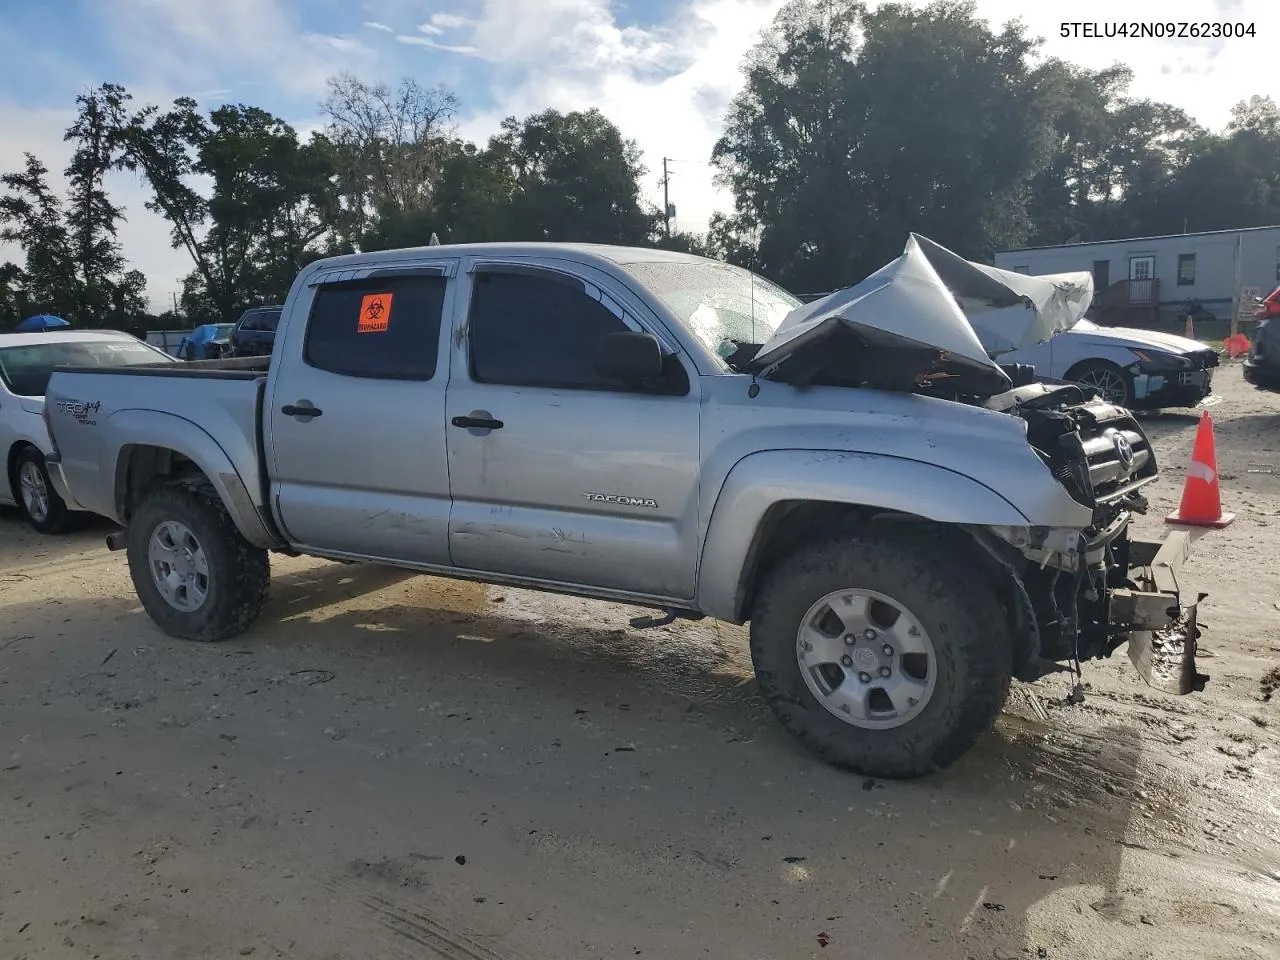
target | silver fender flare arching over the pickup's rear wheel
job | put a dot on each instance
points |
(145, 428)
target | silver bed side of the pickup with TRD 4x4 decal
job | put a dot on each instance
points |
(100, 417)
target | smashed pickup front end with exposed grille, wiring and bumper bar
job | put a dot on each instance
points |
(1091, 597)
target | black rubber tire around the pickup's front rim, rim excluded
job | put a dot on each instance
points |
(958, 607)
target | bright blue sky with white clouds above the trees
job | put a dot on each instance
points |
(665, 71)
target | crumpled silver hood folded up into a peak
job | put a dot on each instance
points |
(929, 321)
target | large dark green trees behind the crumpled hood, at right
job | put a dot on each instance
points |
(856, 127)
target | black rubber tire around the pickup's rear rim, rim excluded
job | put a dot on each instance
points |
(240, 574)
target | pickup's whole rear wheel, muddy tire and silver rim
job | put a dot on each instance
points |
(195, 574)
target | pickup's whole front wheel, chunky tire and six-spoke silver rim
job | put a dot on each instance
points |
(881, 653)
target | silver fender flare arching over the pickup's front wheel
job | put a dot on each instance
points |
(761, 481)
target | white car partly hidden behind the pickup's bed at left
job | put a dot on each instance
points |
(28, 360)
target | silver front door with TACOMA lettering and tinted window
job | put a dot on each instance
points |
(557, 476)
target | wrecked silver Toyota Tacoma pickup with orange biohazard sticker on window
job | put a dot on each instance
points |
(904, 527)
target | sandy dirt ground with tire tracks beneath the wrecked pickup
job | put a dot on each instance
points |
(394, 766)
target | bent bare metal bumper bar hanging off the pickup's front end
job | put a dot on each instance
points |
(1159, 615)
